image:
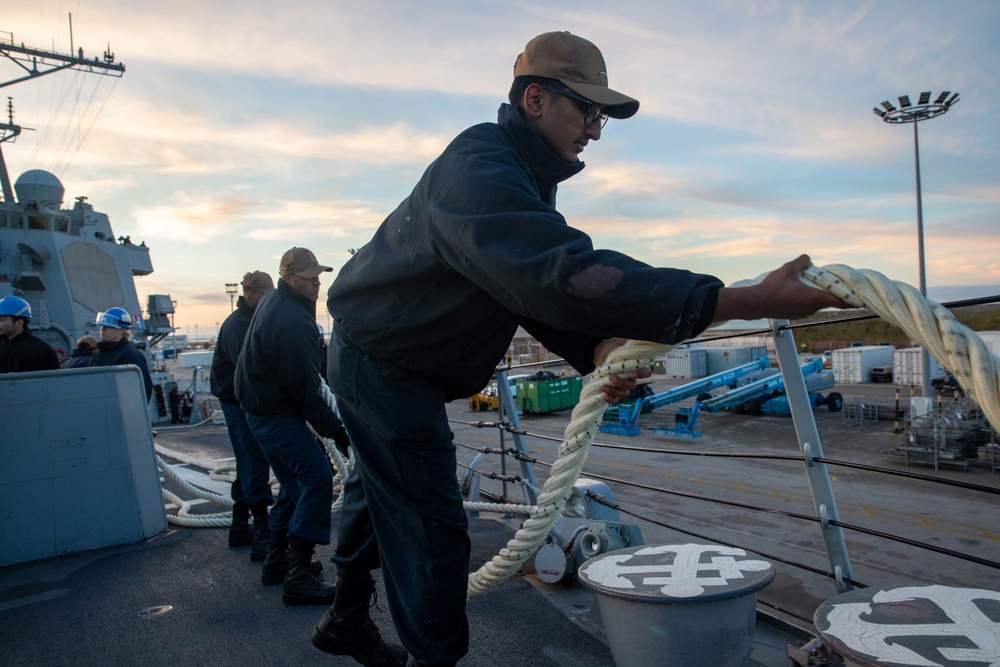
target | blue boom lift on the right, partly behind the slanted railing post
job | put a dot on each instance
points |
(764, 396)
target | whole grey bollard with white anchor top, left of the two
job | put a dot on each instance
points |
(680, 605)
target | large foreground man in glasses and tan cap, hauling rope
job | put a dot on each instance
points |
(425, 311)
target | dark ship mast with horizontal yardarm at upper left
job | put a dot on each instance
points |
(36, 63)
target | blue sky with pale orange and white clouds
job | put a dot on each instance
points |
(242, 129)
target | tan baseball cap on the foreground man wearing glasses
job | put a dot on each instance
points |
(578, 65)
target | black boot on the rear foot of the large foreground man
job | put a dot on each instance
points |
(346, 628)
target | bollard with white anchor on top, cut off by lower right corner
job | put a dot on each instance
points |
(912, 625)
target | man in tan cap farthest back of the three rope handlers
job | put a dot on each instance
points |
(251, 490)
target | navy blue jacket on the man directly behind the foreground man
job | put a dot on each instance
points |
(279, 367)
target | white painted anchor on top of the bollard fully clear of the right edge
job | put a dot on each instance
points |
(679, 579)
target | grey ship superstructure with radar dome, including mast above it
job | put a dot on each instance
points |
(67, 262)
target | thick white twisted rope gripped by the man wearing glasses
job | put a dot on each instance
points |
(957, 347)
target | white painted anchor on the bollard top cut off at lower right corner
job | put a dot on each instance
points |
(879, 640)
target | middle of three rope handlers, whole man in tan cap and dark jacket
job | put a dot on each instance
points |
(278, 386)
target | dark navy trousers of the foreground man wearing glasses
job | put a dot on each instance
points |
(402, 506)
